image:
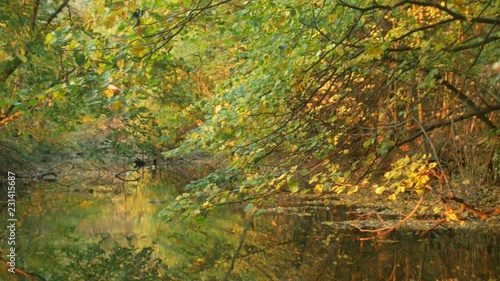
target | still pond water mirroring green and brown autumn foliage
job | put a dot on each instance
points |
(107, 235)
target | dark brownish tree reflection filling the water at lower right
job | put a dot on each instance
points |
(292, 247)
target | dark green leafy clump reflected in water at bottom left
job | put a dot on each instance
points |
(116, 263)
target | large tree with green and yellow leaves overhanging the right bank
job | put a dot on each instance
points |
(341, 96)
